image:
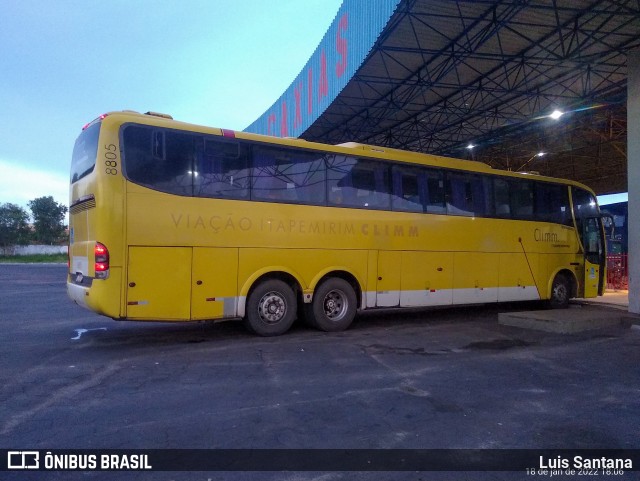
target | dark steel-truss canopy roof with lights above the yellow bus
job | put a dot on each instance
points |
(443, 75)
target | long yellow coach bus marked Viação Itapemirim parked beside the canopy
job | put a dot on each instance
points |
(177, 222)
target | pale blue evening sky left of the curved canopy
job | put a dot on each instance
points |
(212, 62)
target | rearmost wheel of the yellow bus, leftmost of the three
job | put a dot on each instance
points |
(271, 308)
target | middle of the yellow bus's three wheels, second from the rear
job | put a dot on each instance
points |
(333, 307)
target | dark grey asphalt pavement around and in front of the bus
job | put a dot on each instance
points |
(449, 378)
